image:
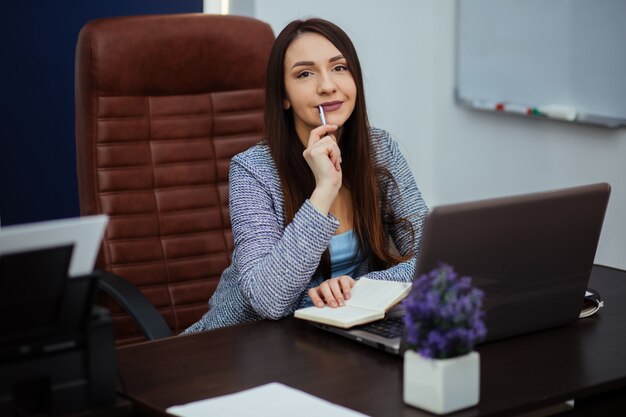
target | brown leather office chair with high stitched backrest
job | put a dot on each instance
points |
(162, 104)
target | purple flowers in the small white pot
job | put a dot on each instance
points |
(443, 316)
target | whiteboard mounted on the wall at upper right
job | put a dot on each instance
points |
(534, 54)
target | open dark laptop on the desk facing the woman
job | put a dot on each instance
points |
(531, 254)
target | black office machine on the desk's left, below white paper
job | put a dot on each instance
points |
(56, 348)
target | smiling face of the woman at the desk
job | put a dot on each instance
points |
(316, 73)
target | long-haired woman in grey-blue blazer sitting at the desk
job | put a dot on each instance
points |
(316, 206)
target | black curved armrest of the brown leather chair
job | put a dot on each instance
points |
(150, 322)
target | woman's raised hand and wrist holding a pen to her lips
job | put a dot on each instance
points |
(323, 156)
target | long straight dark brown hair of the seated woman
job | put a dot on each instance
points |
(358, 168)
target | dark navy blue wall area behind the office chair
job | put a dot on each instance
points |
(37, 150)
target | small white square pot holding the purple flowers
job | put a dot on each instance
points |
(441, 385)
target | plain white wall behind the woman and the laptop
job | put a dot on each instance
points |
(407, 50)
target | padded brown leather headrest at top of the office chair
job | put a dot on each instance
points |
(174, 54)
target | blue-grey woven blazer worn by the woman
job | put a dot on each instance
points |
(274, 265)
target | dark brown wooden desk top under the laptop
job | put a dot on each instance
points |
(521, 374)
